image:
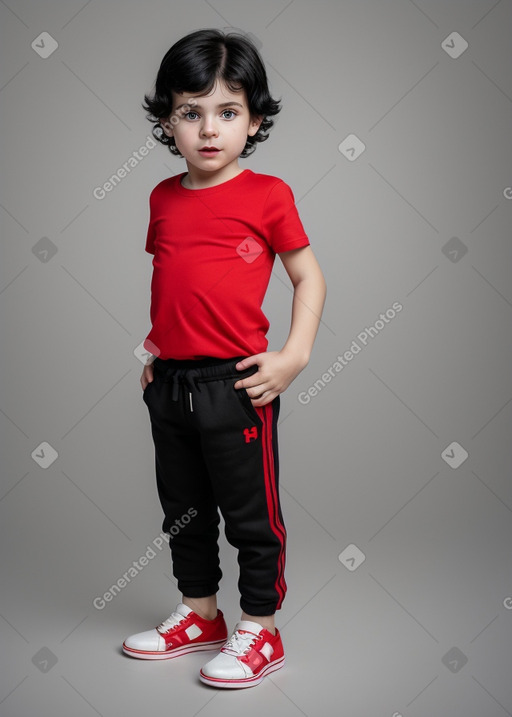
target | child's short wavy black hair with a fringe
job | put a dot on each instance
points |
(195, 63)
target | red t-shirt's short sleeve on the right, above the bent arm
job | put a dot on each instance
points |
(281, 222)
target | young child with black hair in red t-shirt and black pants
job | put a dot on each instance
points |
(212, 390)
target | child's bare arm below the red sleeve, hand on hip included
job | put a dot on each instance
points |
(277, 369)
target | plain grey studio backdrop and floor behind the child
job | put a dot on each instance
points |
(421, 217)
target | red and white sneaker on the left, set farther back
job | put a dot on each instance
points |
(183, 632)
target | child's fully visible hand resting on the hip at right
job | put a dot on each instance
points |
(276, 371)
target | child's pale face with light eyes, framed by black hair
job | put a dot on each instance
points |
(220, 120)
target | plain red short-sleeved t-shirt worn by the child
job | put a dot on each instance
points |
(214, 249)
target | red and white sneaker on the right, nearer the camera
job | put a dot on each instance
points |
(251, 653)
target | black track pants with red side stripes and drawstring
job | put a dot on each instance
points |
(215, 450)
